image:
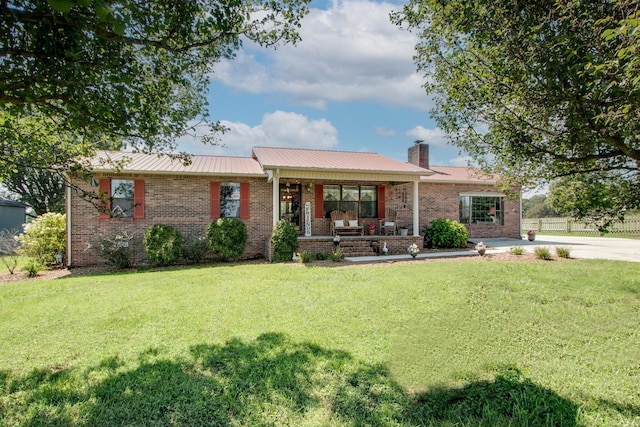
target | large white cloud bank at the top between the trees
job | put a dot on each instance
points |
(350, 52)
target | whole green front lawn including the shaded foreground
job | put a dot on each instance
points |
(427, 343)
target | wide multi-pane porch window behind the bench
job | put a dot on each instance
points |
(361, 199)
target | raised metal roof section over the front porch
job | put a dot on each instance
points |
(295, 158)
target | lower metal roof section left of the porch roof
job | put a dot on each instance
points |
(200, 165)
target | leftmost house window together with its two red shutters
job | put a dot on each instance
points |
(121, 198)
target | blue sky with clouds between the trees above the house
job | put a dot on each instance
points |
(349, 85)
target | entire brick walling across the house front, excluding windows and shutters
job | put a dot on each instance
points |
(183, 201)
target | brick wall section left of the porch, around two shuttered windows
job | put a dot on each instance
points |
(180, 201)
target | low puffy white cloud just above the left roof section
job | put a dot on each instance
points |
(277, 129)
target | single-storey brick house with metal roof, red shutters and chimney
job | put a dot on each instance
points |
(299, 185)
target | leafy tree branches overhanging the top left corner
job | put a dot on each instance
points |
(130, 71)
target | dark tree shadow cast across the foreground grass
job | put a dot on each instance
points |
(270, 381)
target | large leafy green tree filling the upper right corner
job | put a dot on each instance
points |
(535, 91)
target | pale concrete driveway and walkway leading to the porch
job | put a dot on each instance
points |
(610, 248)
